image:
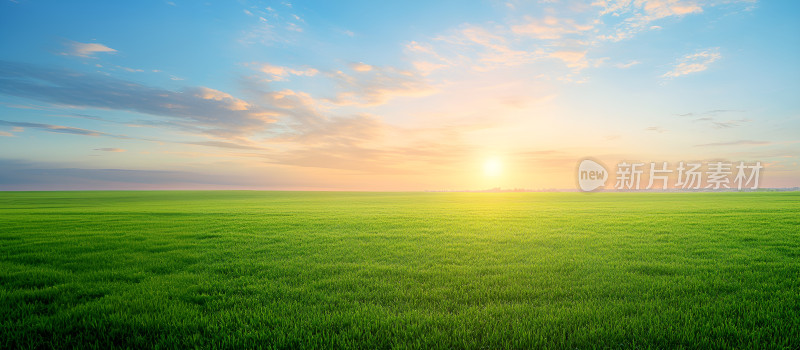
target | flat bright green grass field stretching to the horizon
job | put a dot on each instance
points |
(399, 270)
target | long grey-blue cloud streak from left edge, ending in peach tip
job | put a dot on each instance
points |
(207, 110)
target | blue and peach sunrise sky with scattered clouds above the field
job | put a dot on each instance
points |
(390, 96)
